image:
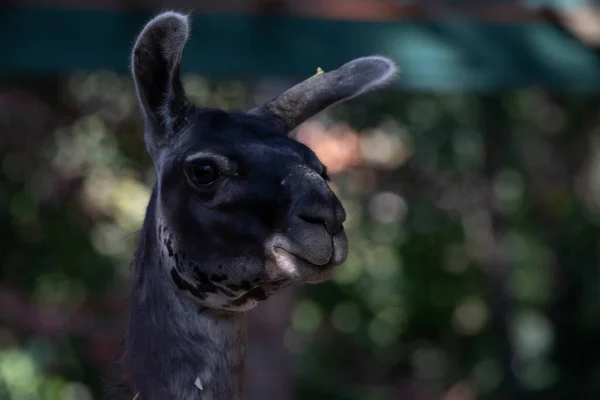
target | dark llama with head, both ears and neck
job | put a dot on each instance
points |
(239, 210)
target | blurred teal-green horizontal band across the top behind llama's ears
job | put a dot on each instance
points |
(453, 54)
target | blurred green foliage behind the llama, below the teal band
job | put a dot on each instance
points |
(473, 226)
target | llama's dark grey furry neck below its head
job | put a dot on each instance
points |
(174, 350)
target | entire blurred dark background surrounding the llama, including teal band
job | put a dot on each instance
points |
(472, 189)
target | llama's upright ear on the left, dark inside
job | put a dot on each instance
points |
(155, 65)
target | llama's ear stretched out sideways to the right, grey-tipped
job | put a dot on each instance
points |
(315, 94)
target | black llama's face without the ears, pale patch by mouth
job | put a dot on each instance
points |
(245, 210)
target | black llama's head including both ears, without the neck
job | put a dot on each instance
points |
(242, 209)
